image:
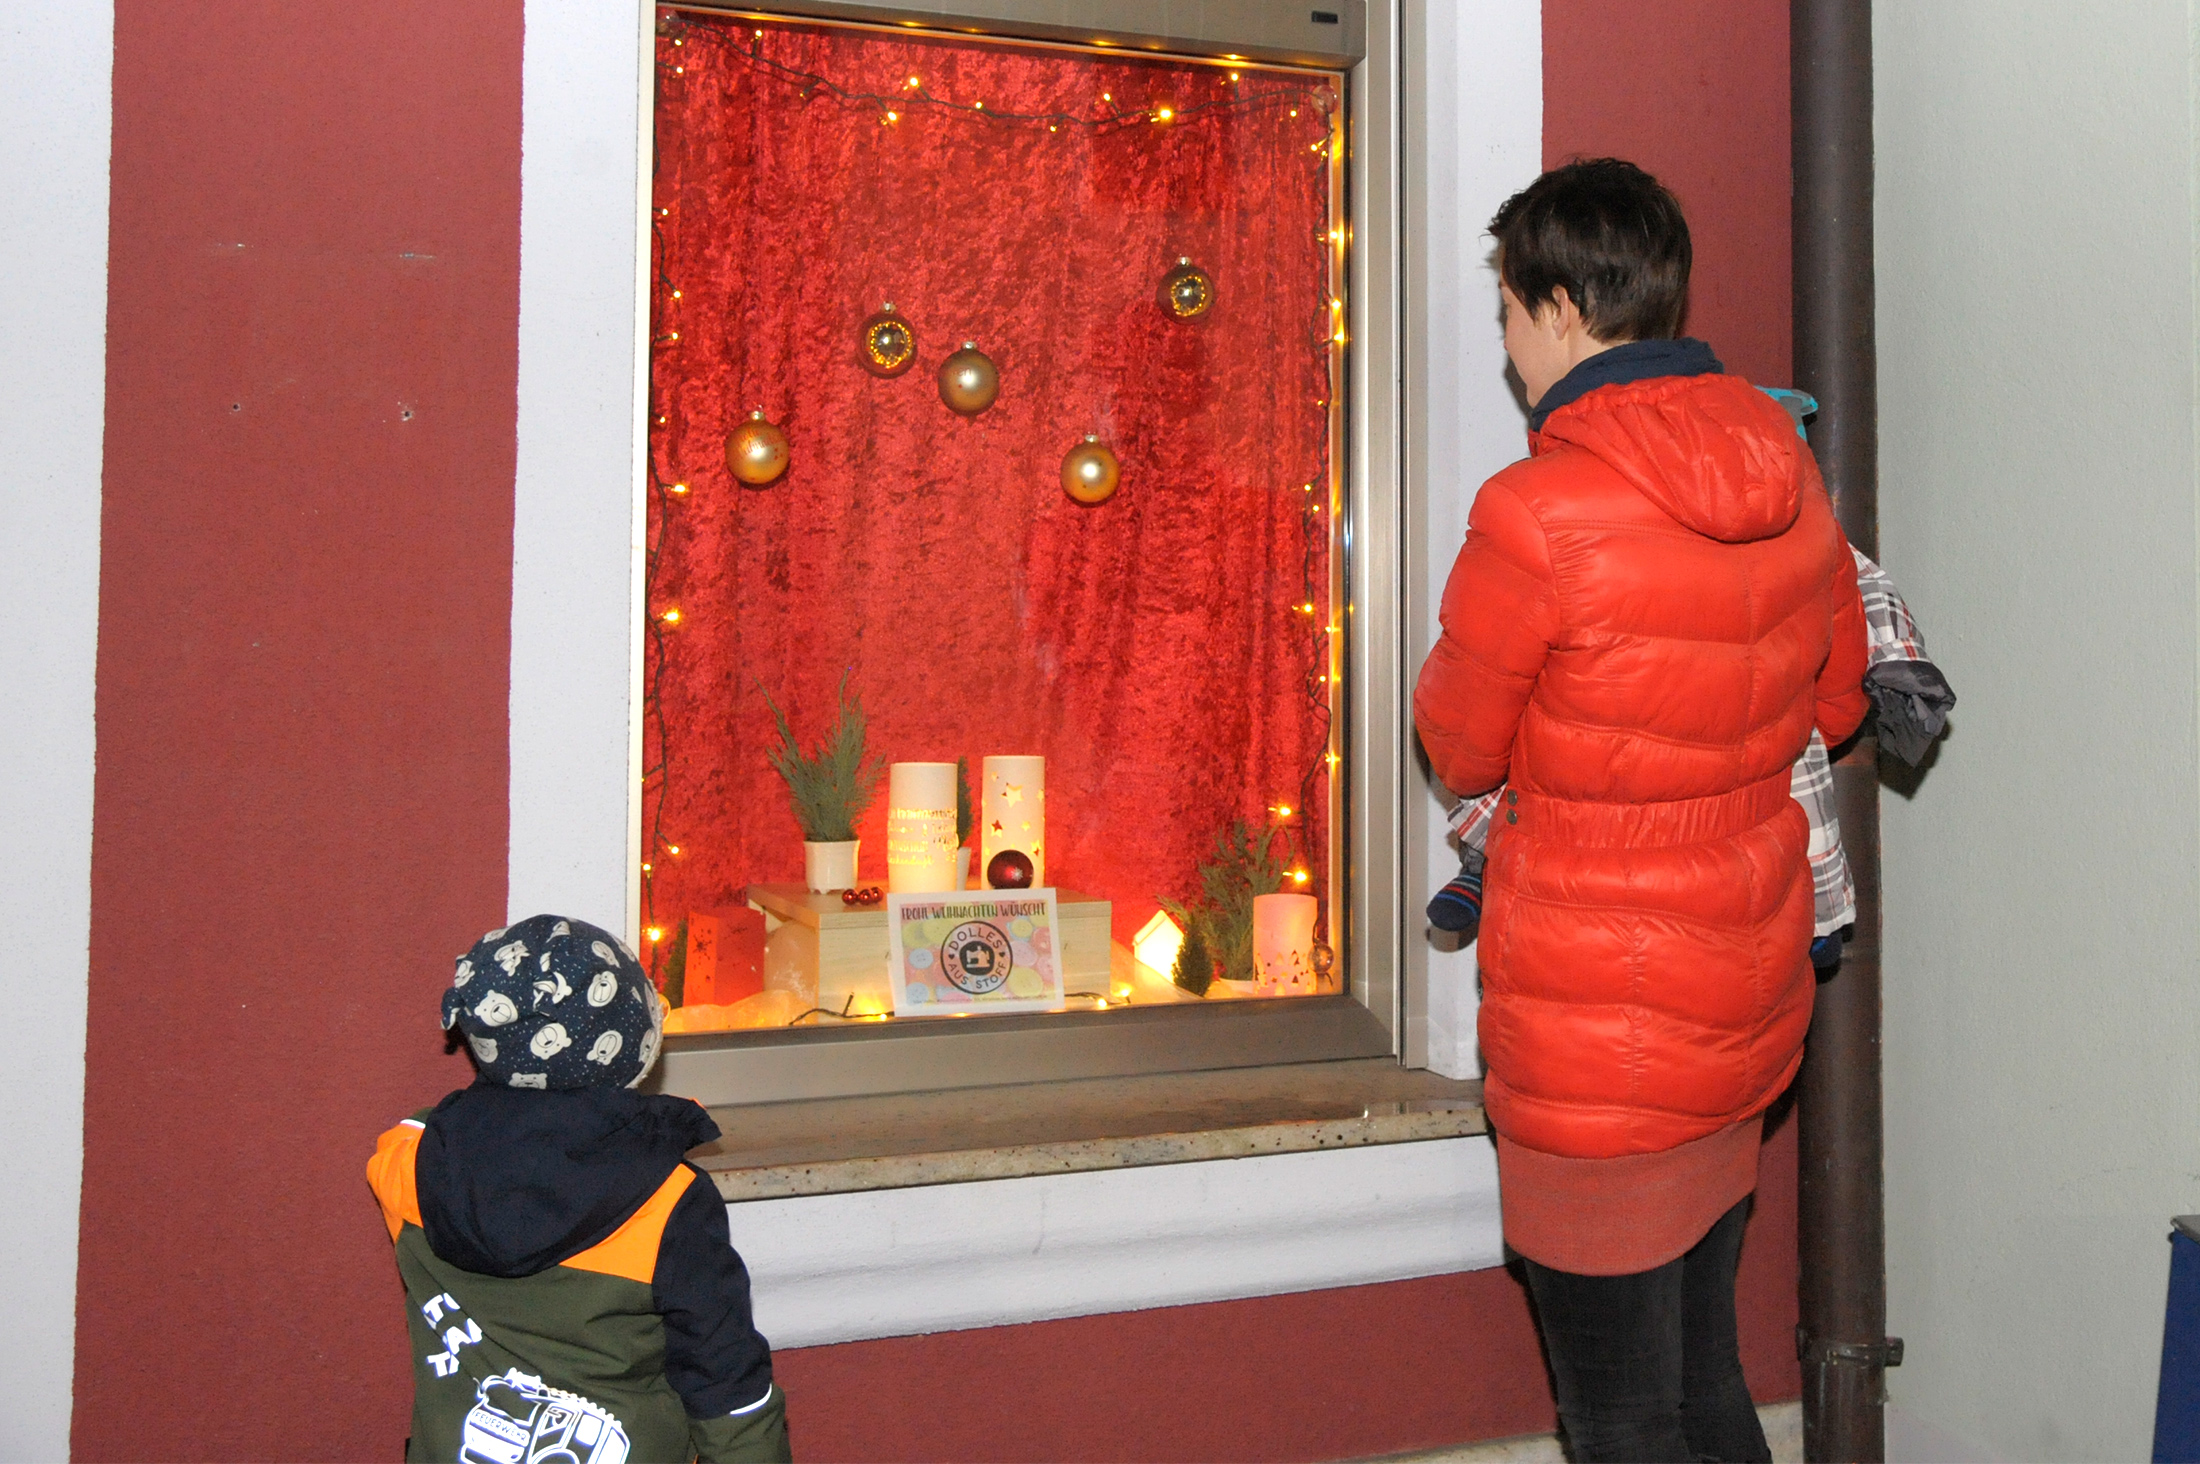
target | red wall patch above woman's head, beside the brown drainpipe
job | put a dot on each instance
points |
(1697, 94)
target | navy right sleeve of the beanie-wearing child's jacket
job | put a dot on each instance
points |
(714, 1355)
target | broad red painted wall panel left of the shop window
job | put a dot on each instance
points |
(305, 624)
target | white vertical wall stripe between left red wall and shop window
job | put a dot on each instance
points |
(575, 527)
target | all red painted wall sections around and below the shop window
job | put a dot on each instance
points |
(302, 754)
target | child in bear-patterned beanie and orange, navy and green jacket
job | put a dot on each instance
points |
(571, 1287)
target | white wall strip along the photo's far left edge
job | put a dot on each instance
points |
(56, 113)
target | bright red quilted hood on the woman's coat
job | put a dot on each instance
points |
(1713, 452)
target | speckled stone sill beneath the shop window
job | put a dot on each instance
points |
(901, 1141)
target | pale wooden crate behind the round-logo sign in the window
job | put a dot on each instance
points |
(835, 954)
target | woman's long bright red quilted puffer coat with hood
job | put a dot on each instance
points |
(1640, 633)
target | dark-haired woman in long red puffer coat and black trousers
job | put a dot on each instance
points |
(1647, 622)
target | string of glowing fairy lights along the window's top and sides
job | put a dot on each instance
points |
(892, 109)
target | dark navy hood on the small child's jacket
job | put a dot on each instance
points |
(514, 1181)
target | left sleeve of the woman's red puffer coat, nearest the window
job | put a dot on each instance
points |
(1499, 624)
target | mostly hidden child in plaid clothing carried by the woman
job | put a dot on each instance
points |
(1911, 701)
